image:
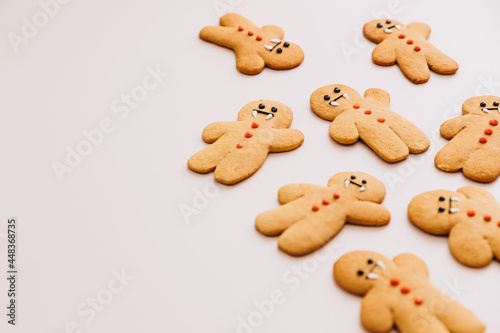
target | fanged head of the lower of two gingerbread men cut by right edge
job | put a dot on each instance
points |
(437, 211)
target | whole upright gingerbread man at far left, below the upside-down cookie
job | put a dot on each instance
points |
(238, 149)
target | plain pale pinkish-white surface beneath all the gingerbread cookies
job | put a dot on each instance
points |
(120, 208)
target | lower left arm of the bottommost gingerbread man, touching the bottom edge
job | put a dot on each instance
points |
(376, 315)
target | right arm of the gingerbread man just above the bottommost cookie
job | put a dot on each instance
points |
(367, 213)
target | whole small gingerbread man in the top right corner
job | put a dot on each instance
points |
(408, 47)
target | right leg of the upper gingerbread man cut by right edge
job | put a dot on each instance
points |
(483, 165)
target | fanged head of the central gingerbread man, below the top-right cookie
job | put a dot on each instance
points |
(330, 101)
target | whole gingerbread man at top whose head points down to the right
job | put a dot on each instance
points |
(255, 47)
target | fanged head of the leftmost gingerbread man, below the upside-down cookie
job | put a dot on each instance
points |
(275, 114)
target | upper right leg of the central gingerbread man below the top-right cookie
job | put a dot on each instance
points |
(411, 135)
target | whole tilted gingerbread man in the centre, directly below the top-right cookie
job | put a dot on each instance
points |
(353, 117)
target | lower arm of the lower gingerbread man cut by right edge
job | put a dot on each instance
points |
(469, 246)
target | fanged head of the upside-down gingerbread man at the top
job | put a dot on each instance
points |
(278, 54)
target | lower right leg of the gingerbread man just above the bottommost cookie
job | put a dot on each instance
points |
(308, 234)
